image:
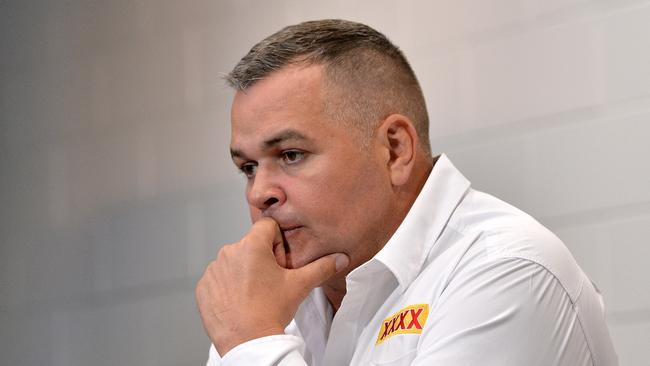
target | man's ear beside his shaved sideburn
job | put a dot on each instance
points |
(399, 138)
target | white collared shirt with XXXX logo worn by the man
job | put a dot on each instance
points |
(465, 280)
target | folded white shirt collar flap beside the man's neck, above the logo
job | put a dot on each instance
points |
(404, 254)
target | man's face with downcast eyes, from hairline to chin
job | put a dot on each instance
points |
(312, 175)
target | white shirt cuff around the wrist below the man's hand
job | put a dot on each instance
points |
(284, 350)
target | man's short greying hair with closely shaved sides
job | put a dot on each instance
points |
(368, 78)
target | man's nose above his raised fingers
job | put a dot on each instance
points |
(264, 191)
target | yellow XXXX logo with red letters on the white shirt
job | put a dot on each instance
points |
(409, 320)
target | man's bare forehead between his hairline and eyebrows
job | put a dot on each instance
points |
(290, 98)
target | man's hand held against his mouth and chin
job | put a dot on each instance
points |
(246, 293)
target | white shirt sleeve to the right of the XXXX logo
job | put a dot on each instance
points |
(507, 312)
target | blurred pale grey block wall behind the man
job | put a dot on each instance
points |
(116, 187)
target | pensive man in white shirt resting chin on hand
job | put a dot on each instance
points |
(380, 253)
